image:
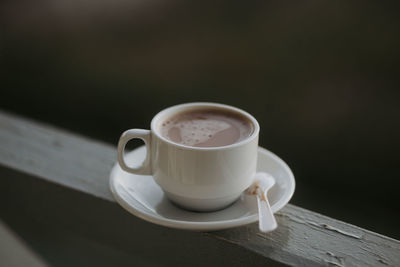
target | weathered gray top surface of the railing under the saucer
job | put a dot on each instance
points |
(302, 238)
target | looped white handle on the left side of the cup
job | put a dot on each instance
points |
(128, 135)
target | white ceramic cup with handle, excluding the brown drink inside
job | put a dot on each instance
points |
(196, 178)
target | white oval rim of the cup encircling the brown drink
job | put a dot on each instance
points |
(163, 113)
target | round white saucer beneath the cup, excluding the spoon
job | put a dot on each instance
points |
(141, 196)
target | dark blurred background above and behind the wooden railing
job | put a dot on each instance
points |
(322, 78)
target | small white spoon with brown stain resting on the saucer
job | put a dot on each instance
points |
(262, 183)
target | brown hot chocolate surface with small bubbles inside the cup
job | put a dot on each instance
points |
(207, 128)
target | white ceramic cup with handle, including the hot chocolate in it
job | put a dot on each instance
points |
(202, 155)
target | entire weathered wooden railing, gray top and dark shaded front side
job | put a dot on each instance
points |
(57, 179)
